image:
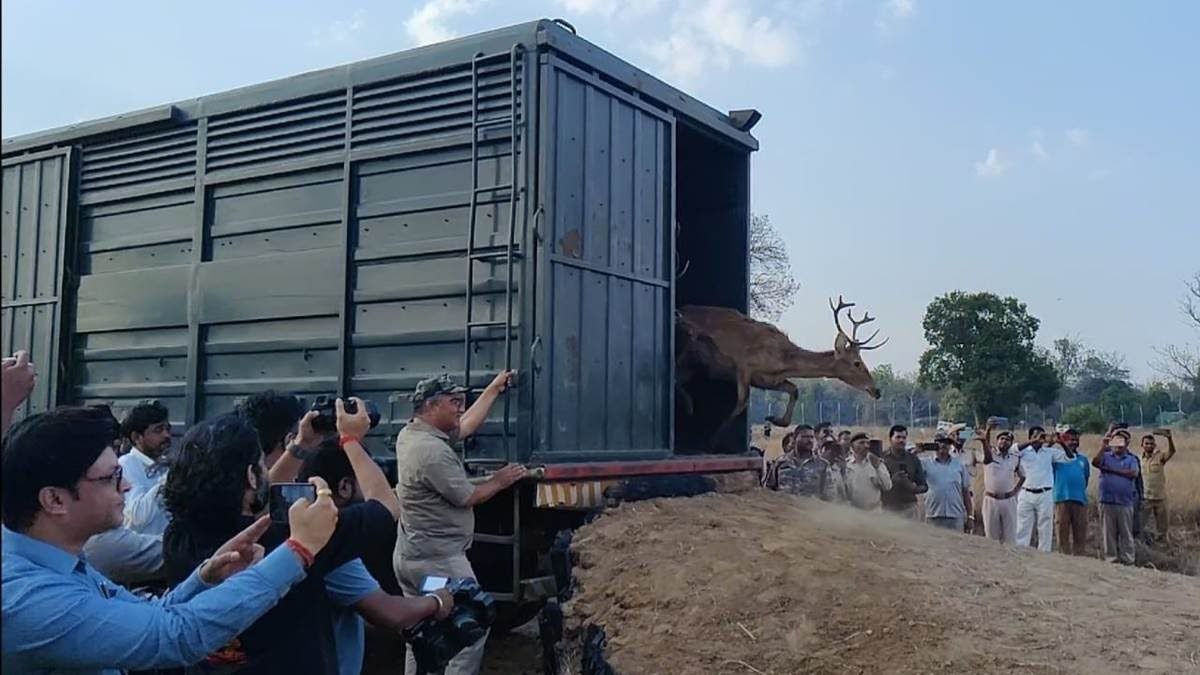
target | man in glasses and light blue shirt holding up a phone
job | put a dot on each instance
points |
(62, 485)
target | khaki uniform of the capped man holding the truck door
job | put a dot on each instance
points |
(436, 524)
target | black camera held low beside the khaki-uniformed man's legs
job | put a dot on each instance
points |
(435, 643)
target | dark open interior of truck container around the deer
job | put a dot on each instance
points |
(712, 240)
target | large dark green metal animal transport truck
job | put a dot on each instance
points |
(514, 200)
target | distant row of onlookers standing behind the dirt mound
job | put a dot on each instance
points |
(1034, 492)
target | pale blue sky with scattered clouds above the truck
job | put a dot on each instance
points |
(909, 148)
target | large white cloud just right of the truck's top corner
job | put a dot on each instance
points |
(719, 34)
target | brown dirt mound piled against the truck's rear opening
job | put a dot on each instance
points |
(767, 583)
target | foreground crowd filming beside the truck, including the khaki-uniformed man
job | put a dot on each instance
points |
(125, 554)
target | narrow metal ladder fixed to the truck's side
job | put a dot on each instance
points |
(509, 255)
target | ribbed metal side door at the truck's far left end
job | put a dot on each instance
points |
(35, 226)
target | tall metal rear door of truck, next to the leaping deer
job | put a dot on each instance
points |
(604, 373)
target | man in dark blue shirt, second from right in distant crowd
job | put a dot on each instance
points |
(1119, 495)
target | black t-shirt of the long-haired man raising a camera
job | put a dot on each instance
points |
(297, 635)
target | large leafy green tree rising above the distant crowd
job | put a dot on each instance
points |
(983, 347)
